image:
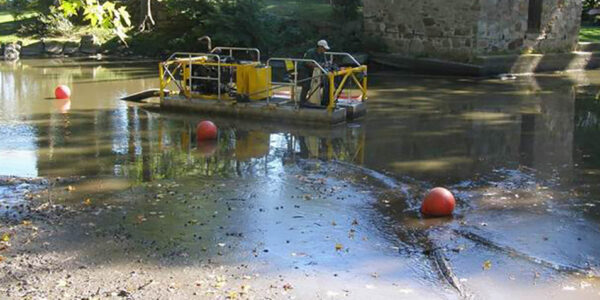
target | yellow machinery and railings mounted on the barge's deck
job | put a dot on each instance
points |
(219, 76)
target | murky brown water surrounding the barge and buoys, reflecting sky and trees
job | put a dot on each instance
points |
(522, 156)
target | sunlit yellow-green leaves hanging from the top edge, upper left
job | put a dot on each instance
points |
(105, 15)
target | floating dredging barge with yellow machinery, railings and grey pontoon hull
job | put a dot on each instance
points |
(222, 84)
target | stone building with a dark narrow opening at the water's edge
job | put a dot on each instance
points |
(463, 29)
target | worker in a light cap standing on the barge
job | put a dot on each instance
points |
(317, 54)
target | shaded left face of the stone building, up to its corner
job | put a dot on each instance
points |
(424, 27)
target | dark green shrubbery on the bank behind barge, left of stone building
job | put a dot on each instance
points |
(278, 29)
